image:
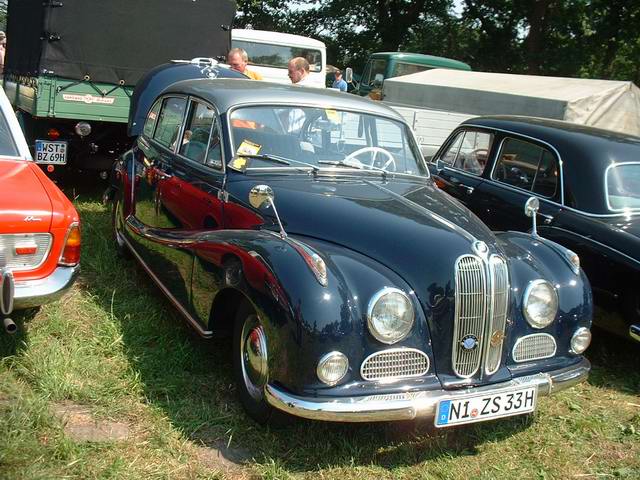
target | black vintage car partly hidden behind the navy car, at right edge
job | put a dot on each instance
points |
(587, 181)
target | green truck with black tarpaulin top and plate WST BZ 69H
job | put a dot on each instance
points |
(71, 67)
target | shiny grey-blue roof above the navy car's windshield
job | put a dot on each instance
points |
(228, 93)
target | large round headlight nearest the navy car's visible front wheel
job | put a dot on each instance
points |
(390, 315)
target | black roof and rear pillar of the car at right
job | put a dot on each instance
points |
(585, 152)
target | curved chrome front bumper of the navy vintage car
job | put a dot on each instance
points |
(411, 405)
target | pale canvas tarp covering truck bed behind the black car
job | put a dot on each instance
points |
(612, 105)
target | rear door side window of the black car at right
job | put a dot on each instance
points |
(528, 166)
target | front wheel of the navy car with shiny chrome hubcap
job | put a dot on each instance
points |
(250, 367)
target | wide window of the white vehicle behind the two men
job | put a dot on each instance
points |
(278, 56)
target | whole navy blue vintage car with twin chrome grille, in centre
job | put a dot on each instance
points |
(303, 224)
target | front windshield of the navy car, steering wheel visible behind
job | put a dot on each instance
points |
(324, 138)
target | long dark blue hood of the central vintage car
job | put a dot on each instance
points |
(410, 226)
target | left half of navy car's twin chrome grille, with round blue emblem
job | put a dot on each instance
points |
(470, 311)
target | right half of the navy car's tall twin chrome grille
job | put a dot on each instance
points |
(499, 305)
